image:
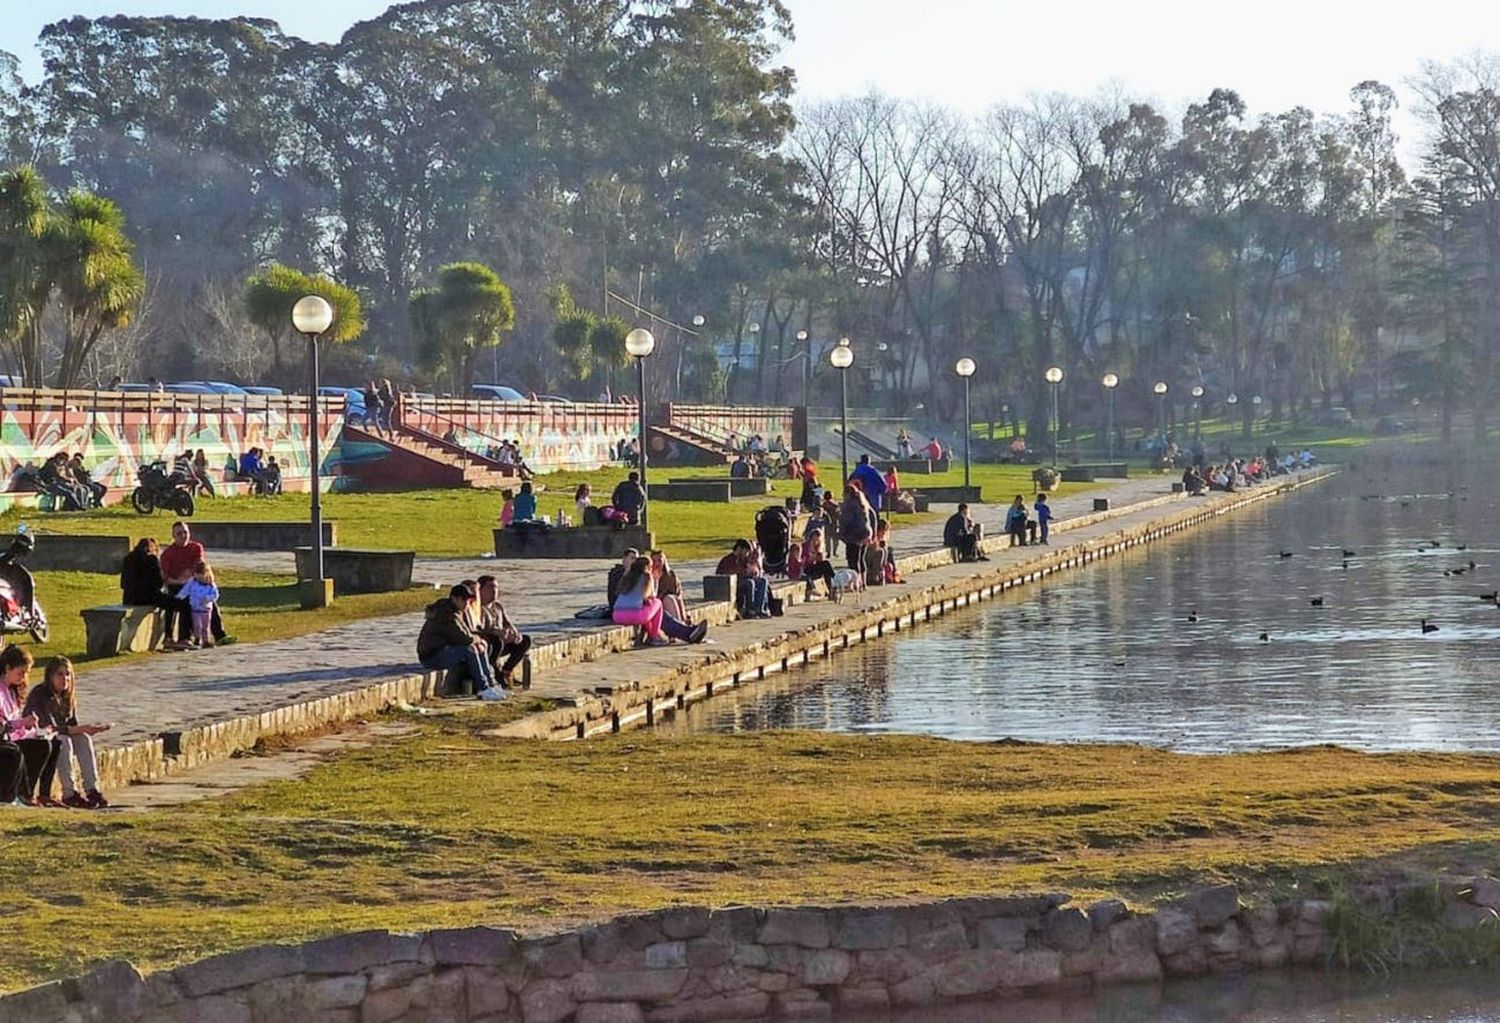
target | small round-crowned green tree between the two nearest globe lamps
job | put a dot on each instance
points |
(470, 310)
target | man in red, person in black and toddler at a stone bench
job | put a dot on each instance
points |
(181, 581)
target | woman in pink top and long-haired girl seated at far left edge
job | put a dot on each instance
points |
(41, 737)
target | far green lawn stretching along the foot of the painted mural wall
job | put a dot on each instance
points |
(458, 523)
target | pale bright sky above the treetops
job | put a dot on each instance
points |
(973, 53)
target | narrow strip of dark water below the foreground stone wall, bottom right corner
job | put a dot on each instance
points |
(1261, 998)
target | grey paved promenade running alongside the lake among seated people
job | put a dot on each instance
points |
(170, 692)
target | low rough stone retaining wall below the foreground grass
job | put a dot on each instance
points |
(739, 964)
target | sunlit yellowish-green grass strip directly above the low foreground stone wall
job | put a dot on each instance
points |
(449, 827)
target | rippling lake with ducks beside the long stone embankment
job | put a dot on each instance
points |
(1109, 653)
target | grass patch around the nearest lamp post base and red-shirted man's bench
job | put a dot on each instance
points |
(256, 607)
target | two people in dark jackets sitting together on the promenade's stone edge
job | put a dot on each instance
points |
(470, 629)
